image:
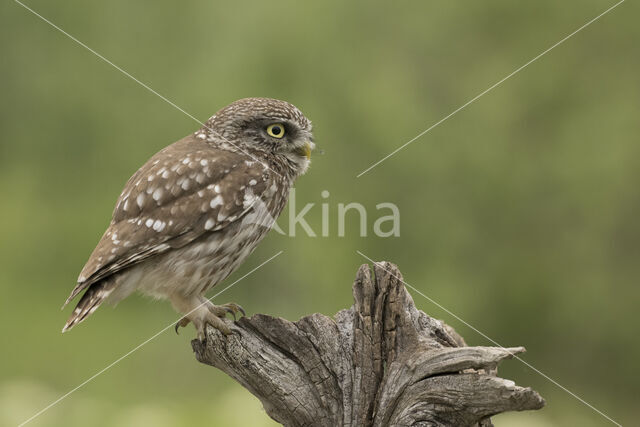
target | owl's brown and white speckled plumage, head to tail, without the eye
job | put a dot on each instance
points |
(194, 211)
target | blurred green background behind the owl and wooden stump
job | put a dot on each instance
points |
(519, 214)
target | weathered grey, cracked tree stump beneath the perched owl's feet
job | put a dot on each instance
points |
(380, 363)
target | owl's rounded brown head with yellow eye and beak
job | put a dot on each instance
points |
(267, 125)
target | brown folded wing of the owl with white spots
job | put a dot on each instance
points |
(185, 190)
